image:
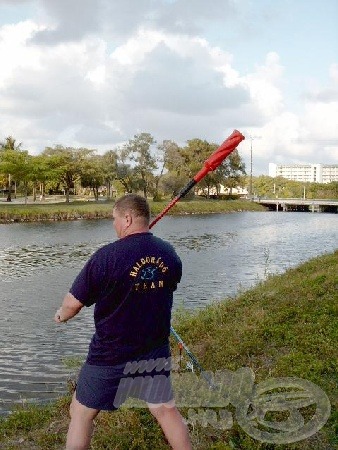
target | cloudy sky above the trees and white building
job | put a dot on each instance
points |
(93, 73)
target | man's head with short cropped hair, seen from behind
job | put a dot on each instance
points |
(131, 214)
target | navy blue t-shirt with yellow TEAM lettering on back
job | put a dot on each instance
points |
(131, 282)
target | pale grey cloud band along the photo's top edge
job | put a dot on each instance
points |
(71, 20)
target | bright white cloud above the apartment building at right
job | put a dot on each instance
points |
(309, 135)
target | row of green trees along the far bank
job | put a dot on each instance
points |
(140, 165)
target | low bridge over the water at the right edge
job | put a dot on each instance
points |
(299, 204)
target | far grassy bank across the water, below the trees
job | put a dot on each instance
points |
(10, 213)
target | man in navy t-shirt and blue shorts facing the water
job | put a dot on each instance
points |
(131, 282)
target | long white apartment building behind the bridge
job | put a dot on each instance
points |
(318, 173)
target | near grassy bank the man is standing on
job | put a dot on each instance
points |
(284, 327)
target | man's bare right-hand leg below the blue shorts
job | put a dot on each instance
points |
(172, 425)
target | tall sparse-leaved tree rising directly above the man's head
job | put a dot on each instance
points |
(145, 162)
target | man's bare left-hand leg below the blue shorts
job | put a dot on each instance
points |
(81, 426)
